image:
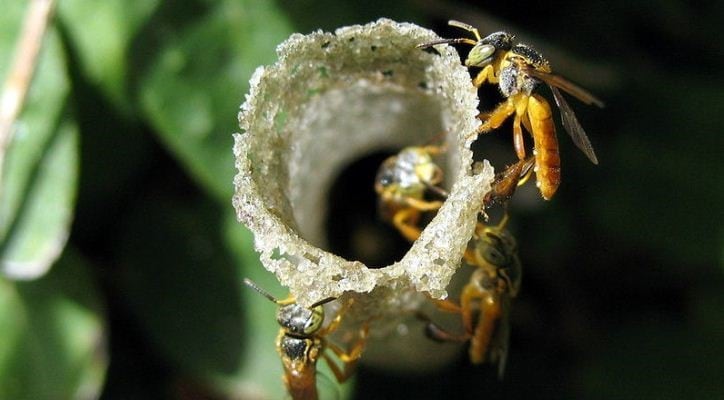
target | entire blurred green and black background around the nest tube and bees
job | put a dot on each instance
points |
(127, 128)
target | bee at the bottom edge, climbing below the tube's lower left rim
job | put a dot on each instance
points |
(302, 340)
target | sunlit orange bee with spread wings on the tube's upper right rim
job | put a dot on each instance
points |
(518, 70)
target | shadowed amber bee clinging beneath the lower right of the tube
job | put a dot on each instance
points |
(485, 300)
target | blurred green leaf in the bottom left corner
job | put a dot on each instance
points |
(52, 336)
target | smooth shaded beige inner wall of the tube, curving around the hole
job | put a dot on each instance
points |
(343, 126)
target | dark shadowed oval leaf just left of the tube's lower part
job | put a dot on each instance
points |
(181, 286)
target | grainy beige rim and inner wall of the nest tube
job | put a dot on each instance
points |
(332, 99)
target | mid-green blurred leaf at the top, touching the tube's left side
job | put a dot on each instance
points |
(193, 87)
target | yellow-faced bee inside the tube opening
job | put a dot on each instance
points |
(402, 183)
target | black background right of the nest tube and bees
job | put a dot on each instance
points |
(622, 289)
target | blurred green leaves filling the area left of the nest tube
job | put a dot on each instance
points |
(190, 85)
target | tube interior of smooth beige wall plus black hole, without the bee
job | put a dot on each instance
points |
(340, 143)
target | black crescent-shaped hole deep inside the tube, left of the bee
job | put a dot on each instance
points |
(354, 228)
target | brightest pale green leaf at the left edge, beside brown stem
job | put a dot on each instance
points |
(38, 187)
